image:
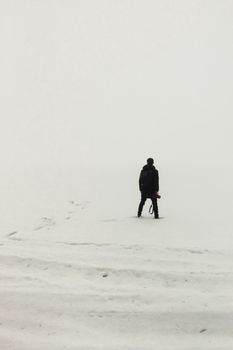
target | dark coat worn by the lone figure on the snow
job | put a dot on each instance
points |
(149, 181)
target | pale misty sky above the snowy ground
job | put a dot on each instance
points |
(116, 80)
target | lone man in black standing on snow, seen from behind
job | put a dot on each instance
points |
(149, 186)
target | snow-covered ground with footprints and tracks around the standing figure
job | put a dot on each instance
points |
(80, 271)
